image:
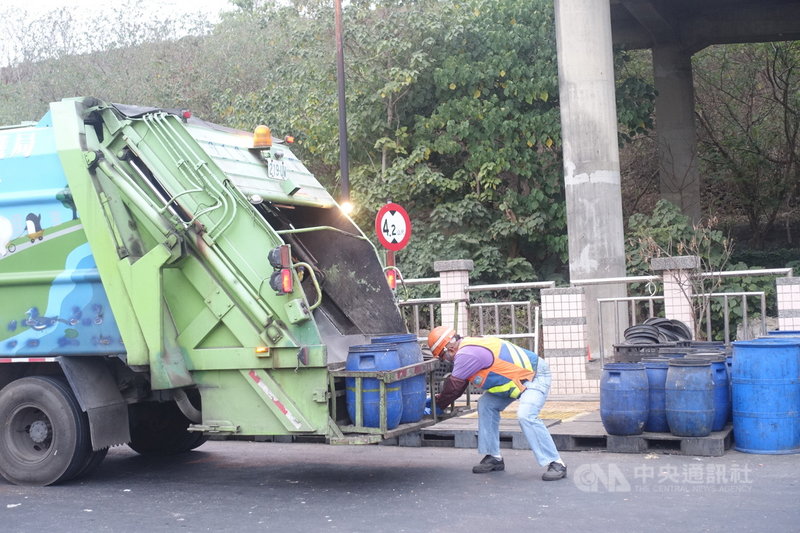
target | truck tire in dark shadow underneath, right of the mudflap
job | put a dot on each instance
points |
(160, 429)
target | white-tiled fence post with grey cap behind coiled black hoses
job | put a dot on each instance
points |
(677, 276)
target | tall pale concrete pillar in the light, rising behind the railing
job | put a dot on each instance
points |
(591, 155)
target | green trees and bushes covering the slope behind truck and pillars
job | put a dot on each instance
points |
(452, 112)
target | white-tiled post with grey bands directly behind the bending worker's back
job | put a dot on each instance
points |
(565, 342)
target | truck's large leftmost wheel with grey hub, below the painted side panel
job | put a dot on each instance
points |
(44, 435)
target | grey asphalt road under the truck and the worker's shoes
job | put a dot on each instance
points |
(246, 486)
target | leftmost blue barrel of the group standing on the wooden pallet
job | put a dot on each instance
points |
(624, 398)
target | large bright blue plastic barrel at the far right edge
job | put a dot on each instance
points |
(766, 395)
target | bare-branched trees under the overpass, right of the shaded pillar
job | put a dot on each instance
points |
(748, 109)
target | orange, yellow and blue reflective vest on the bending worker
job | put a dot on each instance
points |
(511, 366)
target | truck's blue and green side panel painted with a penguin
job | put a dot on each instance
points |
(53, 302)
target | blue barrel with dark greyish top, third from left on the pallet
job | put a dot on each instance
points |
(689, 397)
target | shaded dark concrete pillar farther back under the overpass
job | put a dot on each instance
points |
(675, 128)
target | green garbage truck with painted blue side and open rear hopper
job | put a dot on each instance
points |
(164, 279)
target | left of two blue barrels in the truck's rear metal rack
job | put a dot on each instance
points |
(371, 358)
